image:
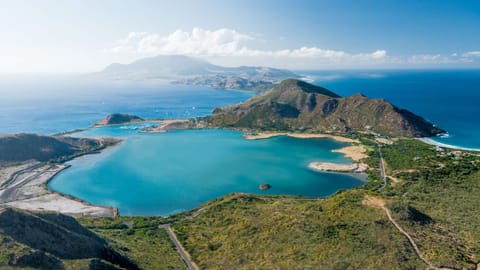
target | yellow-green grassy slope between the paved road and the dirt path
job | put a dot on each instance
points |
(259, 232)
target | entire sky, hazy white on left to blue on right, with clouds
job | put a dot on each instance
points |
(70, 36)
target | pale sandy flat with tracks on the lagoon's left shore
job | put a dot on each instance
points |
(26, 189)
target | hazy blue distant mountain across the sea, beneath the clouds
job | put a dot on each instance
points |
(182, 69)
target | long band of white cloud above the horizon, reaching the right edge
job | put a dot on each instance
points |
(229, 47)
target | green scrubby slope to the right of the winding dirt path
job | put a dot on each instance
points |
(443, 190)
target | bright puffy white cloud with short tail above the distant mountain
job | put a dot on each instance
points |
(226, 42)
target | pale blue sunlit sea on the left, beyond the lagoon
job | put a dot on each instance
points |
(51, 105)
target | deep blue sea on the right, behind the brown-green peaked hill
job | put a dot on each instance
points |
(448, 98)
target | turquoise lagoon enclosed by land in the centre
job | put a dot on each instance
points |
(160, 174)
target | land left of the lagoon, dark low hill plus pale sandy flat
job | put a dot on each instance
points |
(29, 161)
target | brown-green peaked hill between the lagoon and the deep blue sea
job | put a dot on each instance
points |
(294, 105)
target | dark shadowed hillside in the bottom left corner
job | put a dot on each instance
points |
(48, 240)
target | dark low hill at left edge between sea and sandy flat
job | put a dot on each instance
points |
(22, 147)
